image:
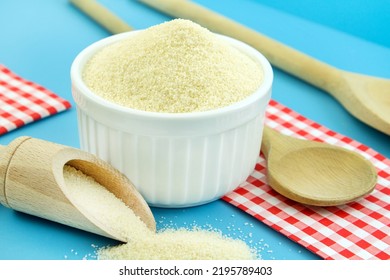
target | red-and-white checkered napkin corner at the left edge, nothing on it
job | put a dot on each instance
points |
(22, 101)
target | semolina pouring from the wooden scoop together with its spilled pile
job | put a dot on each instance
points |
(142, 243)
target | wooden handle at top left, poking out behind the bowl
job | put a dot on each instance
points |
(102, 15)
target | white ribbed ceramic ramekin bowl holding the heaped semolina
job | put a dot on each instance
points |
(174, 160)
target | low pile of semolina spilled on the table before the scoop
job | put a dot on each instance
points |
(181, 244)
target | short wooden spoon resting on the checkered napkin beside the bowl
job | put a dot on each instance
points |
(315, 173)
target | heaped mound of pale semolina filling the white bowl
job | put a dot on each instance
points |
(174, 67)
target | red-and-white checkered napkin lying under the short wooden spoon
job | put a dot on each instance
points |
(358, 230)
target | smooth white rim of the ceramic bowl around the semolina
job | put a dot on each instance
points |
(83, 57)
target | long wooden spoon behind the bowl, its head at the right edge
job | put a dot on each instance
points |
(365, 97)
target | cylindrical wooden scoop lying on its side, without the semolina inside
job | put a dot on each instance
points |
(32, 181)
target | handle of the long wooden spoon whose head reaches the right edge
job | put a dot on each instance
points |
(286, 58)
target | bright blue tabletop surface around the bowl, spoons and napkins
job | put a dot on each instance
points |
(40, 39)
